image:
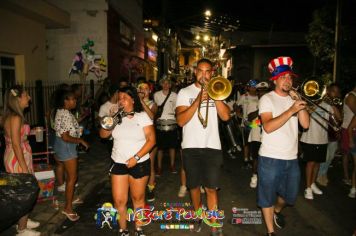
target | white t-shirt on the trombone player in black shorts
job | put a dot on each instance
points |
(194, 135)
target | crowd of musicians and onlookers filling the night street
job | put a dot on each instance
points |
(276, 127)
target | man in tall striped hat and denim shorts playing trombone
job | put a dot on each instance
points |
(278, 169)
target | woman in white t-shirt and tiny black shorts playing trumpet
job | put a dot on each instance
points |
(133, 138)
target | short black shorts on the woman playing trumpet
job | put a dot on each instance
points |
(138, 171)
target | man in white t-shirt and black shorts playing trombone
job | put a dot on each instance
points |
(201, 147)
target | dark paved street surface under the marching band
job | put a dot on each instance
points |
(333, 213)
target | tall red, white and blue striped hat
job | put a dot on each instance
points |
(280, 66)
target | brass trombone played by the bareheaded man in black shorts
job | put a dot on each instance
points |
(218, 88)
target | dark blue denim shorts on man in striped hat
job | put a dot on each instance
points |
(277, 177)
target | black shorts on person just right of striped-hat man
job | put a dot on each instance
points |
(314, 152)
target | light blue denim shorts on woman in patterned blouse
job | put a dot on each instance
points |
(64, 151)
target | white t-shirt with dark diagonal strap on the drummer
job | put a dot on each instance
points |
(170, 106)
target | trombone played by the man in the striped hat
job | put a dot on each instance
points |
(313, 91)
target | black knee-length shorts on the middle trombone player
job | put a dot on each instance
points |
(202, 167)
